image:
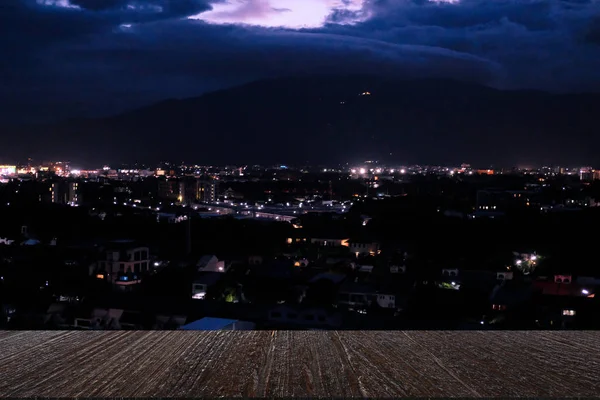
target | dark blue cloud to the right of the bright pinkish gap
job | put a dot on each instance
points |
(543, 44)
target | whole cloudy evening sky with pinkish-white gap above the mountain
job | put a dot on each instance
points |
(71, 58)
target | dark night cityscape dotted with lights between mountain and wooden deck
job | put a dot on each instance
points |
(365, 246)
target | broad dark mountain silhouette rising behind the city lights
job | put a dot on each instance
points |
(326, 119)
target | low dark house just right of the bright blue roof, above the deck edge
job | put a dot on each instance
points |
(286, 316)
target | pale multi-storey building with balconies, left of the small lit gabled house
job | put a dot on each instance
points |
(122, 262)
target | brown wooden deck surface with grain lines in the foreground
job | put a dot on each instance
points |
(296, 363)
